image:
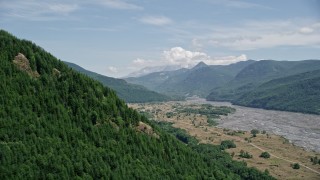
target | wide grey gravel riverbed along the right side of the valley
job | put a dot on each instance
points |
(300, 129)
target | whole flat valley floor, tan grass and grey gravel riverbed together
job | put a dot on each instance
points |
(298, 128)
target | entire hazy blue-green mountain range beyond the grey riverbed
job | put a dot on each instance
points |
(248, 83)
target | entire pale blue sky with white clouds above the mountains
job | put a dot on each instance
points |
(117, 37)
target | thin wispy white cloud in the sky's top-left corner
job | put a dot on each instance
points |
(47, 10)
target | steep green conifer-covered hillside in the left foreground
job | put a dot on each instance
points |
(59, 124)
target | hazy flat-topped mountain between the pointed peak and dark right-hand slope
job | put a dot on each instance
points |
(258, 73)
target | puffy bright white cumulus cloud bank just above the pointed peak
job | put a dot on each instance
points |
(172, 59)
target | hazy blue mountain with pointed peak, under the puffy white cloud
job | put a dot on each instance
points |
(199, 80)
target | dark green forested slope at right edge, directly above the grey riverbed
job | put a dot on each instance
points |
(300, 93)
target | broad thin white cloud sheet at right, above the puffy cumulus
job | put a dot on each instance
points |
(259, 35)
